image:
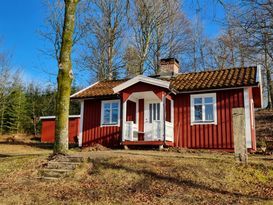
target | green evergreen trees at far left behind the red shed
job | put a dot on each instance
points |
(21, 105)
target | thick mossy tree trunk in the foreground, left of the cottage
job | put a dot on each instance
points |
(64, 79)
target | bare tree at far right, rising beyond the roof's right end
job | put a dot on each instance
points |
(255, 20)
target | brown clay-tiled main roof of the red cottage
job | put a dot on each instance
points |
(194, 81)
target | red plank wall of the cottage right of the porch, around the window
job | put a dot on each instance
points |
(218, 136)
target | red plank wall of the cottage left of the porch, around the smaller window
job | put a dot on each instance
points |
(108, 136)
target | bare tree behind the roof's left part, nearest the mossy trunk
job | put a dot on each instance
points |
(102, 53)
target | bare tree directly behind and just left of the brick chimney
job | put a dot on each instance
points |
(170, 37)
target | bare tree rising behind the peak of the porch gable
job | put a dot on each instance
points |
(147, 16)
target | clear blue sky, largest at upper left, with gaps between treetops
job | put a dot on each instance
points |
(21, 20)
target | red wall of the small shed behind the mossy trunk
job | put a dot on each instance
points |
(48, 130)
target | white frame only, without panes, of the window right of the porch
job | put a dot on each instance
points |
(213, 95)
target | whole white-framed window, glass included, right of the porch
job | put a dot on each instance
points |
(203, 109)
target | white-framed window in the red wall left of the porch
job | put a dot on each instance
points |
(110, 112)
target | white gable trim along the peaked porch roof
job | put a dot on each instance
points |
(144, 79)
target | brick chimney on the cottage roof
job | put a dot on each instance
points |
(169, 67)
